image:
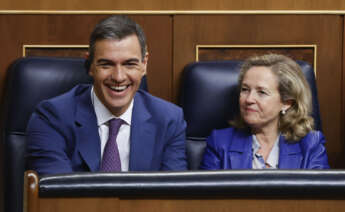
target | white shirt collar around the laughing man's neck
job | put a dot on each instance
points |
(104, 115)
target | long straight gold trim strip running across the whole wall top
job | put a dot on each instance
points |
(177, 12)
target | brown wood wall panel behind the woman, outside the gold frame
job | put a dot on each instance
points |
(325, 31)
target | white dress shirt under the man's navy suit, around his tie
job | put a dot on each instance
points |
(103, 116)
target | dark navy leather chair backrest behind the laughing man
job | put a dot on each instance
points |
(29, 81)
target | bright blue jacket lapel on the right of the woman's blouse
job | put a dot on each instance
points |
(290, 156)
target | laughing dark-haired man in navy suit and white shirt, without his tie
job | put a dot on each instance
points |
(69, 133)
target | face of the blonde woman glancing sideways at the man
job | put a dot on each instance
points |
(260, 100)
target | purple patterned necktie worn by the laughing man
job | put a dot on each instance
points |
(111, 158)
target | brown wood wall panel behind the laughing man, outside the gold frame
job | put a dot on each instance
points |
(17, 30)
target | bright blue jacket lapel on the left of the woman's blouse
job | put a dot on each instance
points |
(240, 151)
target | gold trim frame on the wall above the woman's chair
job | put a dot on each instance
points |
(260, 46)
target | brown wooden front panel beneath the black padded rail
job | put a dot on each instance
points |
(188, 205)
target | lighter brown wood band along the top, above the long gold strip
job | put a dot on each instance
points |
(172, 5)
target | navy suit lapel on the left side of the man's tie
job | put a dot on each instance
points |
(88, 141)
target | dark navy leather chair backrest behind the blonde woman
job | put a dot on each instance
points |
(209, 98)
